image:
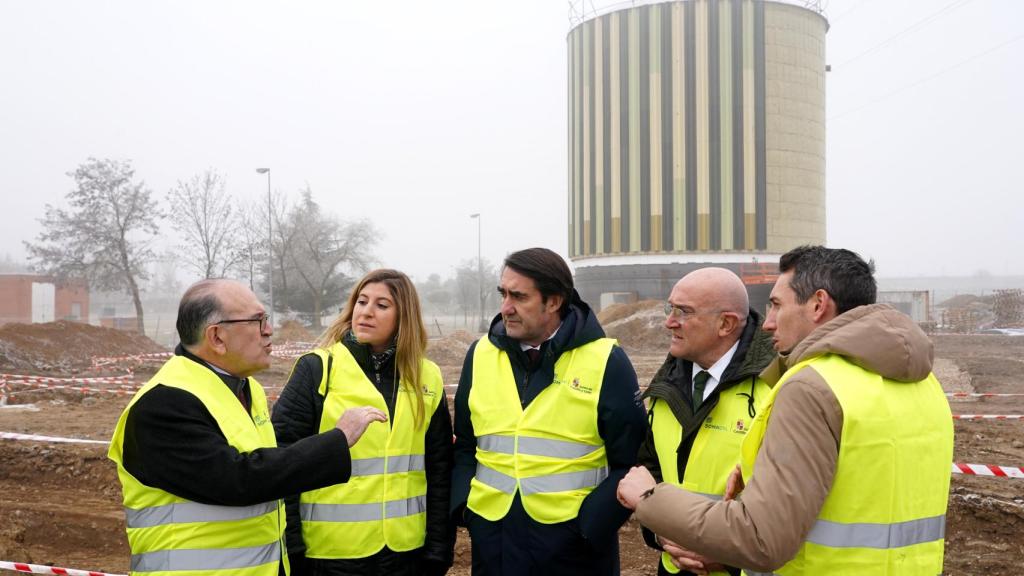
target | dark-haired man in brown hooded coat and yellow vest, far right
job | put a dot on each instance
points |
(847, 465)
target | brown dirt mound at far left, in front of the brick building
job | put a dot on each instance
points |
(66, 347)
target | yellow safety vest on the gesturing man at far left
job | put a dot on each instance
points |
(170, 536)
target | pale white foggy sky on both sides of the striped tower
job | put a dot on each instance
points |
(416, 115)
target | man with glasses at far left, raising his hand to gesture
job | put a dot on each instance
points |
(201, 477)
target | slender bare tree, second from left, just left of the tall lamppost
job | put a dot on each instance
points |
(206, 217)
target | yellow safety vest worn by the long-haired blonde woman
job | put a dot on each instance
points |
(385, 502)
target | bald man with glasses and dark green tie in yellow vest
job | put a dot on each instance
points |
(702, 401)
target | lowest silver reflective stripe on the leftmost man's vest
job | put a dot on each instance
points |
(230, 559)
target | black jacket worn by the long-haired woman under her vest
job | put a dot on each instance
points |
(297, 416)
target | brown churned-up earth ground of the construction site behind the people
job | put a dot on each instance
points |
(60, 504)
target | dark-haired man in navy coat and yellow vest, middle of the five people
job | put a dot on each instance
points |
(547, 421)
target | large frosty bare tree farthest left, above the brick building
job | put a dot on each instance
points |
(105, 235)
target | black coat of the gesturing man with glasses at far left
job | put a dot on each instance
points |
(174, 443)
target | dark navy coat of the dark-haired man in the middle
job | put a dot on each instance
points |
(589, 544)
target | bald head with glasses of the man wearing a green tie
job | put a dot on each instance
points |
(712, 309)
